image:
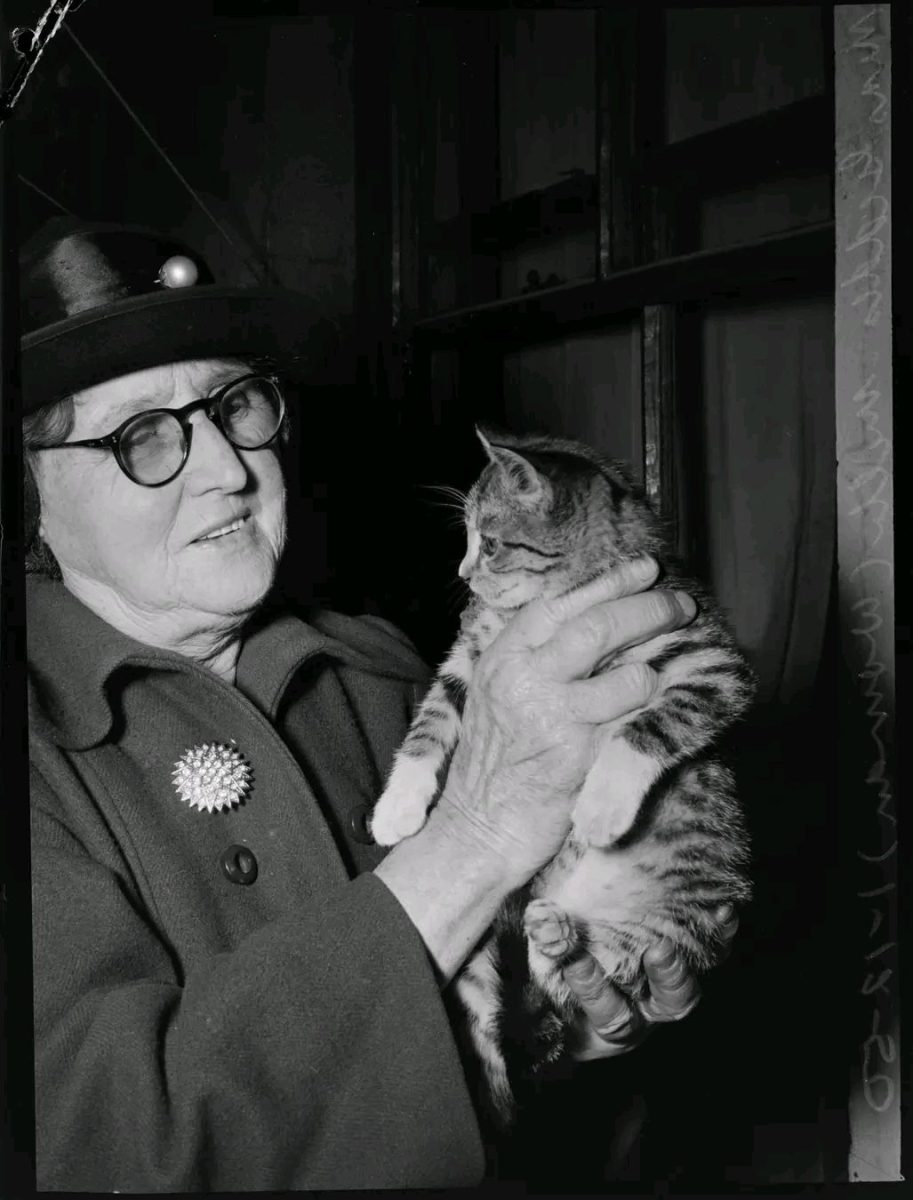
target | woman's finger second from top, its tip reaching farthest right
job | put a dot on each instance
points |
(605, 629)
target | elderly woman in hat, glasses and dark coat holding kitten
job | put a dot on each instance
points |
(235, 989)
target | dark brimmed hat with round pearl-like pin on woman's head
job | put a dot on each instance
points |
(103, 301)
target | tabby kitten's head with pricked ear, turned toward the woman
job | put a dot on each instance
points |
(533, 535)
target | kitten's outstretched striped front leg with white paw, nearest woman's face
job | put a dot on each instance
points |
(419, 763)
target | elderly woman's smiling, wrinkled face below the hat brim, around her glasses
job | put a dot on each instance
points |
(141, 556)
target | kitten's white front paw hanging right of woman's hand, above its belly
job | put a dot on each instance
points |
(612, 794)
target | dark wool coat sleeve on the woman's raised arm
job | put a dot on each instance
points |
(314, 1055)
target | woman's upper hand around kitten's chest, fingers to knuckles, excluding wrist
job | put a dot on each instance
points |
(536, 712)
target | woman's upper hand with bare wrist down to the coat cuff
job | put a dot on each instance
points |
(533, 722)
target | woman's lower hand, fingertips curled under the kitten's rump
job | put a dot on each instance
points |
(611, 1025)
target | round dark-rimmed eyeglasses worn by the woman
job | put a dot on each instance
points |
(153, 447)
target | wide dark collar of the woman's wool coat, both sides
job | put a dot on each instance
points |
(74, 655)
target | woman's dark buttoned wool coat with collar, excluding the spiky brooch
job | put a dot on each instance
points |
(197, 1028)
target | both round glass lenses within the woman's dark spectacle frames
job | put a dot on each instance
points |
(153, 447)
